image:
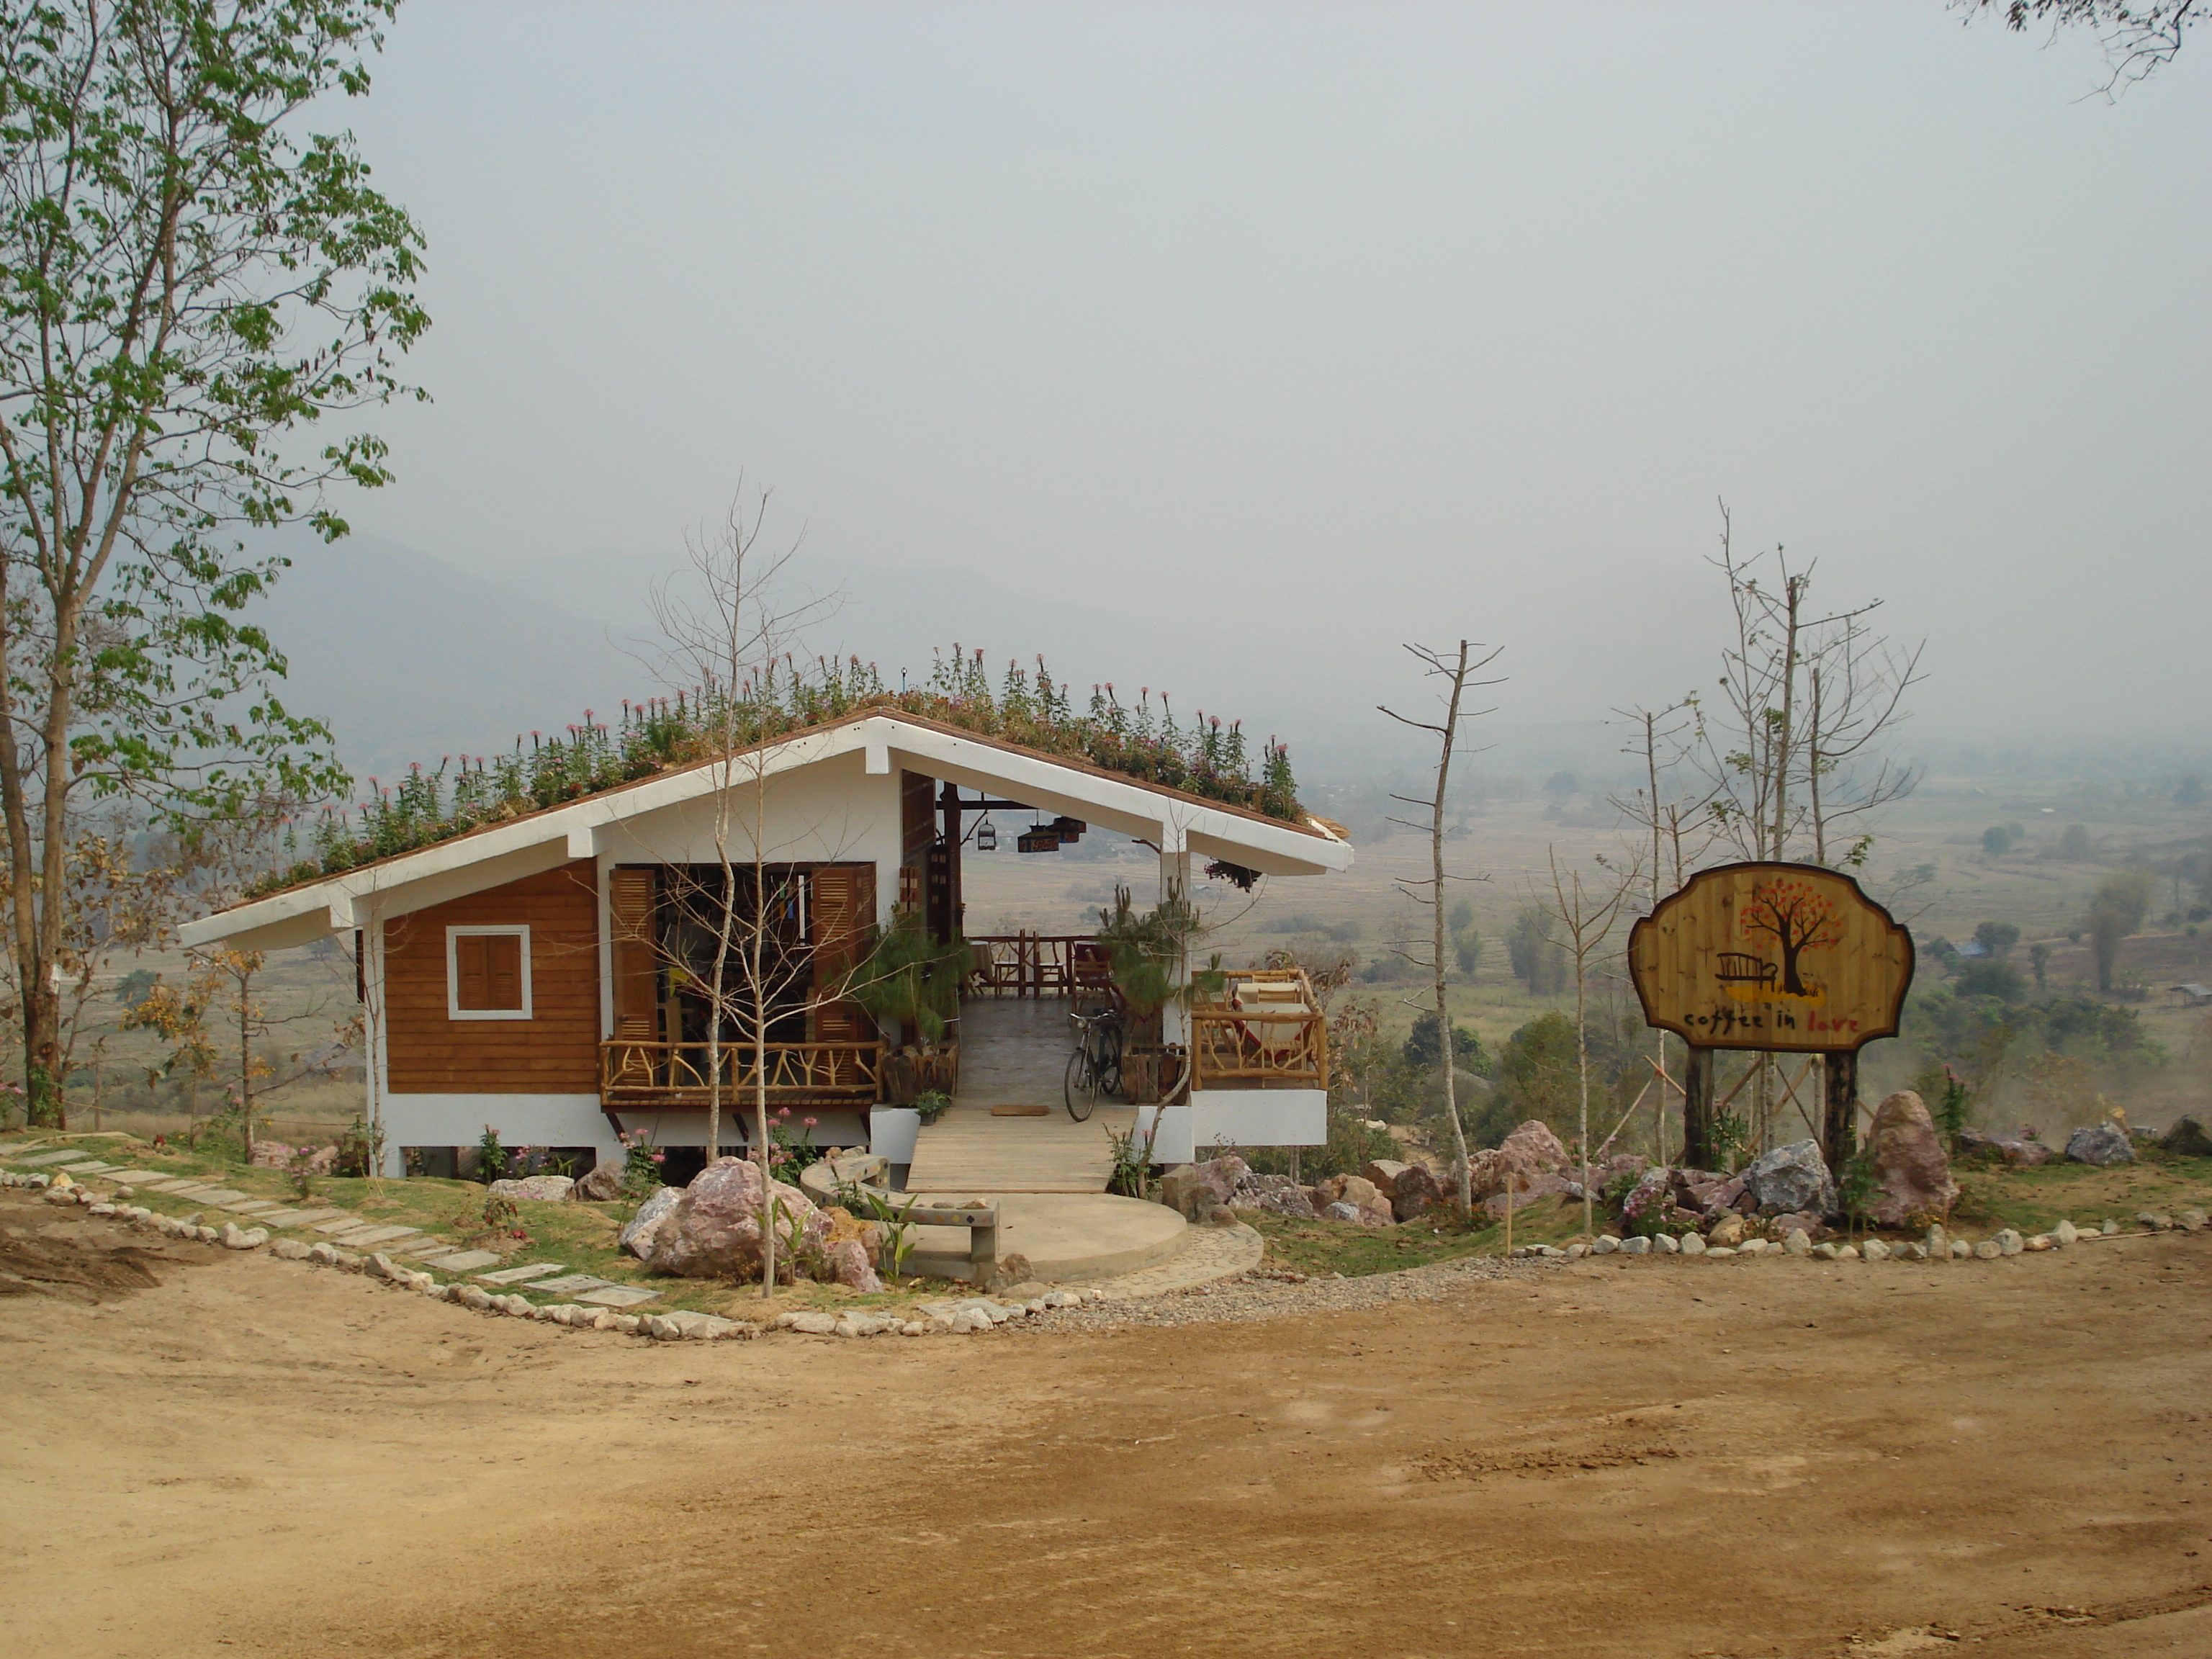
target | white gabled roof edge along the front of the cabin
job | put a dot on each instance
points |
(545, 839)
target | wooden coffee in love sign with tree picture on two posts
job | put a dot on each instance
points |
(1786, 959)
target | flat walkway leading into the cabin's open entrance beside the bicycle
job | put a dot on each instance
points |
(1012, 1054)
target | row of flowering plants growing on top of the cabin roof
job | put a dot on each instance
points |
(1209, 758)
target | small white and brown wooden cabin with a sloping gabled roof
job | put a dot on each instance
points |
(543, 977)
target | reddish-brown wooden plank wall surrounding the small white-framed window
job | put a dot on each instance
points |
(552, 1054)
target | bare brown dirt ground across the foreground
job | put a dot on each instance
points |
(1600, 1459)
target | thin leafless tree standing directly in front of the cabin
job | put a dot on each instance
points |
(729, 640)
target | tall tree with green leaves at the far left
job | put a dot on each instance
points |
(187, 284)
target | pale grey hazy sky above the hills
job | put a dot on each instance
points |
(1277, 335)
